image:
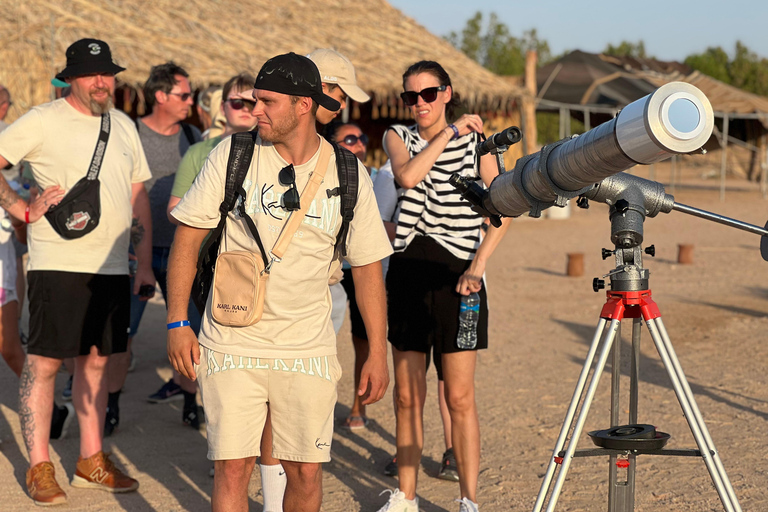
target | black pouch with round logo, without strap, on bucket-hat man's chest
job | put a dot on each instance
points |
(79, 212)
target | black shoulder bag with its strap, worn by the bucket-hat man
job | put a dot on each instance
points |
(79, 211)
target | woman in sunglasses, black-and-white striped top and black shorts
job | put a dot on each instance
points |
(438, 258)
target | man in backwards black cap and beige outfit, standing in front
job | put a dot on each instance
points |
(288, 358)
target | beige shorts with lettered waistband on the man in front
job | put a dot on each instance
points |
(301, 394)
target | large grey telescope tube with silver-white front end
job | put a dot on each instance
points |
(677, 118)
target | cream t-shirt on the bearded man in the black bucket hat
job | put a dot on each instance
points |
(58, 141)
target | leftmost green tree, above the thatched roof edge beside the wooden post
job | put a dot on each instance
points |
(495, 48)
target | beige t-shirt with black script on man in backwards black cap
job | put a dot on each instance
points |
(297, 311)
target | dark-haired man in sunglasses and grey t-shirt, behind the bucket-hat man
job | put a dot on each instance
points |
(165, 139)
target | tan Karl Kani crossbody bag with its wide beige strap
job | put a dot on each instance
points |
(240, 277)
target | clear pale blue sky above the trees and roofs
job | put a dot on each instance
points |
(671, 29)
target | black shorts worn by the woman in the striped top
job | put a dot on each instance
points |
(423, 306)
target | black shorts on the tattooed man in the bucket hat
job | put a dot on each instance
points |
(69, 312)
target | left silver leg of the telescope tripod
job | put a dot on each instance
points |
(607, 342)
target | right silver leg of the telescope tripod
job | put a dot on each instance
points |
(693, 415)
